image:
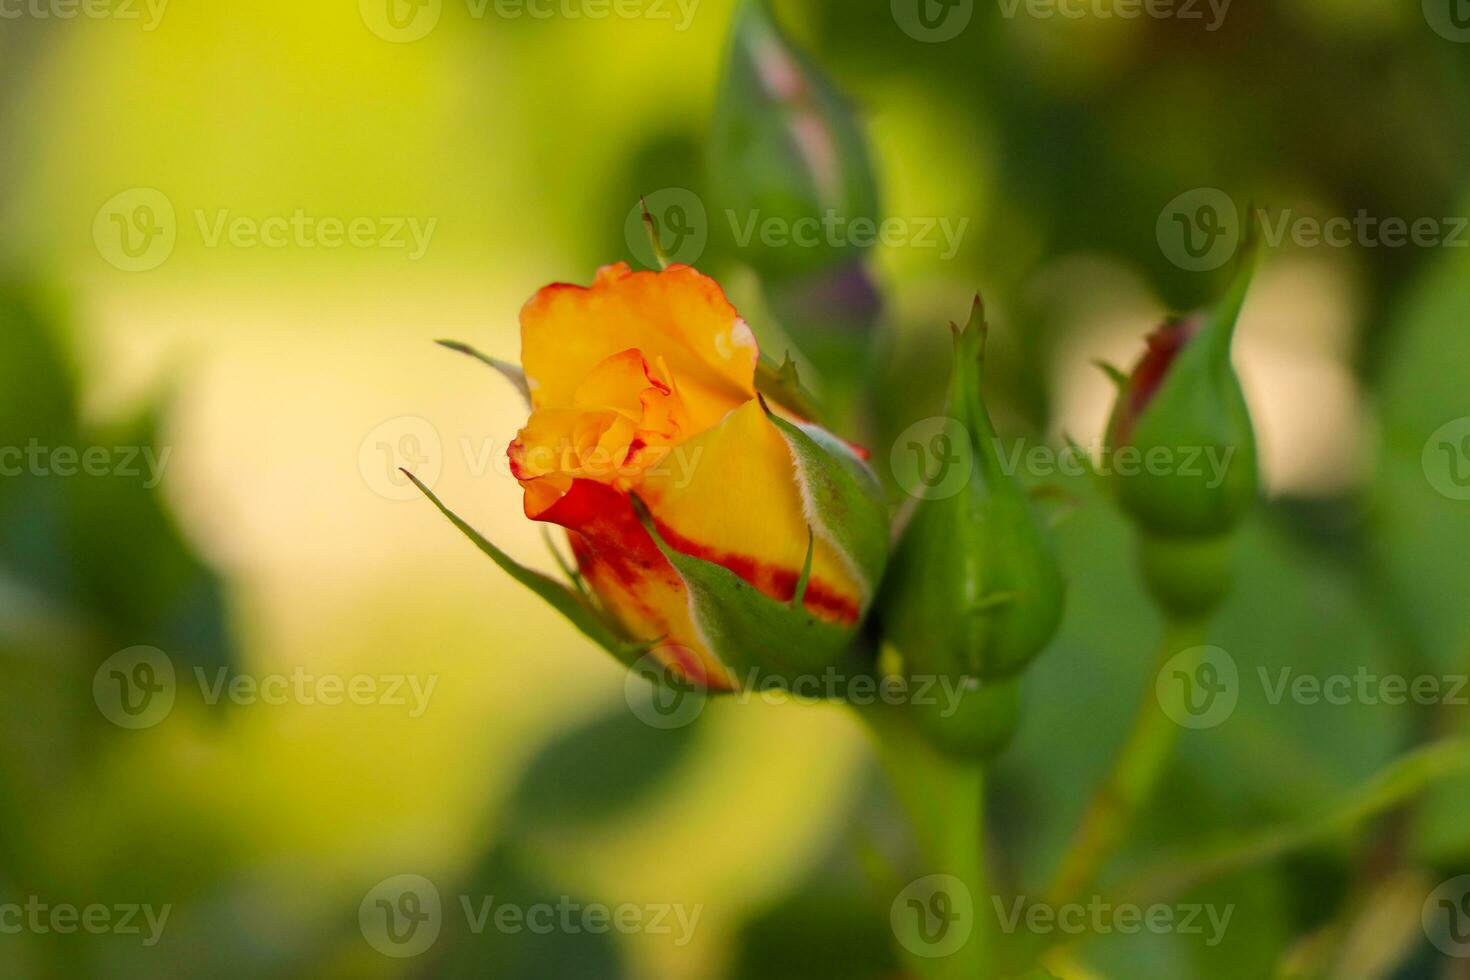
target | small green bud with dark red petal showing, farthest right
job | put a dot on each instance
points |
(1181, 442)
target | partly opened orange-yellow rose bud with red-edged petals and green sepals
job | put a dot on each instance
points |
(728, 541)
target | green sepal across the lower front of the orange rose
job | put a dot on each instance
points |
(753, 635)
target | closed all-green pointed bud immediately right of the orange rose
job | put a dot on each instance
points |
(974, 590)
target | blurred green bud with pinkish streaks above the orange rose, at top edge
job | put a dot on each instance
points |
(787, 154)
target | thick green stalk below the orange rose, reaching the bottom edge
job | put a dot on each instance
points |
(944, 801)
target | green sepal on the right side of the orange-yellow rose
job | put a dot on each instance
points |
(843, 500)
